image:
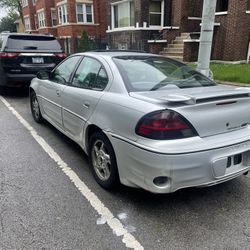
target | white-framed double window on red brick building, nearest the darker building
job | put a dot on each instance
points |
(84, 13)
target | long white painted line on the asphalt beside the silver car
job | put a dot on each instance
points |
(115, 224)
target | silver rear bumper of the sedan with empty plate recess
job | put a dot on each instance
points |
(138, 167)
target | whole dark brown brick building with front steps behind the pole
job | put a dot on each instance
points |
(173, 27)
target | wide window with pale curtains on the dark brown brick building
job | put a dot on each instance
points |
(123, 14)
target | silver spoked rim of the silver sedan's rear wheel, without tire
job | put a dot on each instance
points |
(101, 160)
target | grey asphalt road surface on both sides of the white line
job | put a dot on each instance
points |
(41, 208)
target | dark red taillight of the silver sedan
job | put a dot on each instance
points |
(165, 125)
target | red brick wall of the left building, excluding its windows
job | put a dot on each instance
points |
(72, 30)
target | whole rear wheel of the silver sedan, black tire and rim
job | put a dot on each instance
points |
(102, 161)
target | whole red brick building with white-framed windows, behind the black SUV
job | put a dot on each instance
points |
(66, 20)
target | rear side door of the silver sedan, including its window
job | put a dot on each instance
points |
(81, 97)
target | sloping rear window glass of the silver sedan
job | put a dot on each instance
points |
(149, 73)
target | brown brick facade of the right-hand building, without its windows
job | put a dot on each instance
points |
(231, 35)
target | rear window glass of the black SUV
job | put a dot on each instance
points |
(41, 43)
